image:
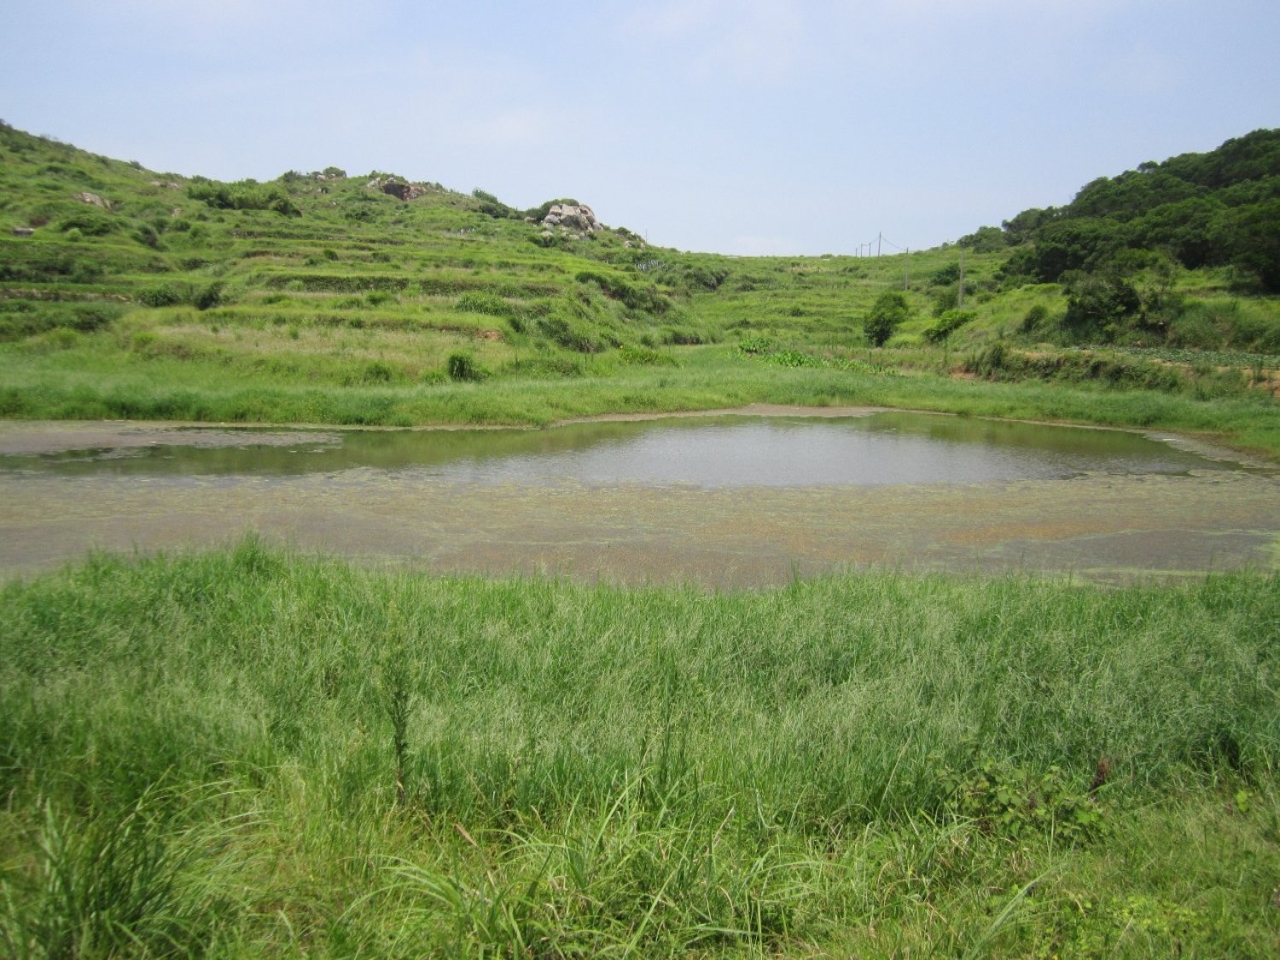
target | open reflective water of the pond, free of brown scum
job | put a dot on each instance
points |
(706, 452)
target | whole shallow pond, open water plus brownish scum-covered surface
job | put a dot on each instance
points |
(724, 501)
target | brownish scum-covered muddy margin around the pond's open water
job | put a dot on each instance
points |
(1100, 527)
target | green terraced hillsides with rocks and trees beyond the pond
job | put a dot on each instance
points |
(376, 300)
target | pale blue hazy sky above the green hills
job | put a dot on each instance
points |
(747, 127)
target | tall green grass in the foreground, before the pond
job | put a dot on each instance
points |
(248, 753)
